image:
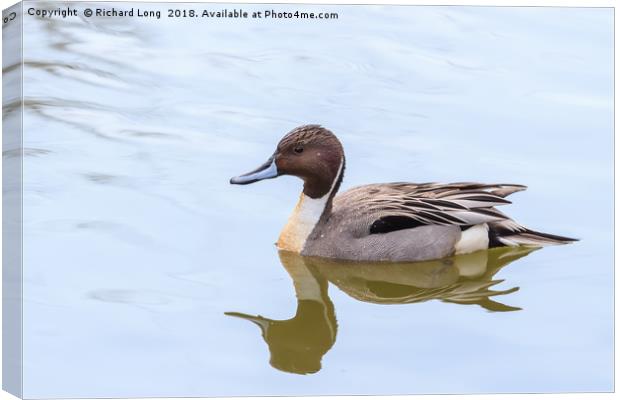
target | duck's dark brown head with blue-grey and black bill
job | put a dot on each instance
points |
(309, 152)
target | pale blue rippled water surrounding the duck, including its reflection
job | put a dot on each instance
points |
(147, 274)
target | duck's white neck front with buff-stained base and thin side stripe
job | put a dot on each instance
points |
(304, 218)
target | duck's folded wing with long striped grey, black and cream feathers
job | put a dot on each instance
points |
(394, 206)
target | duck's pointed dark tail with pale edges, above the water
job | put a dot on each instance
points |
(509, 233)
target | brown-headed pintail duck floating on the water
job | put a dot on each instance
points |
(391, 222)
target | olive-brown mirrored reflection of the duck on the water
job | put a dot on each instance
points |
(298, 344)
